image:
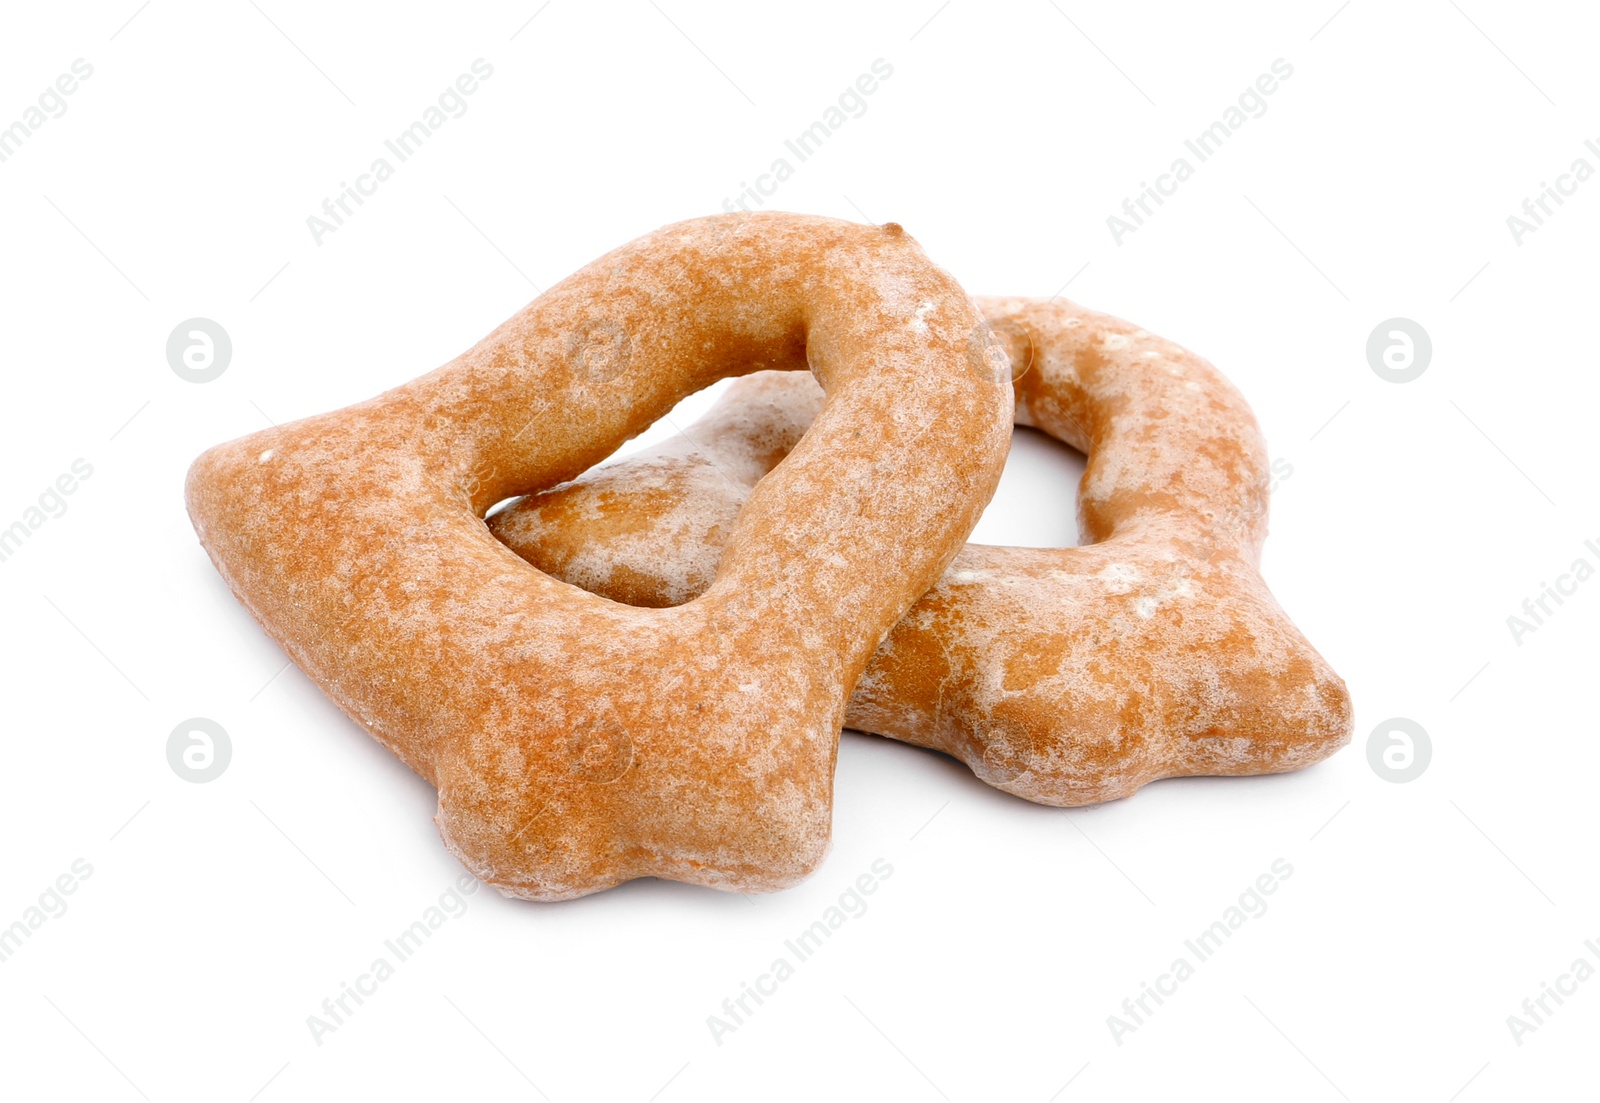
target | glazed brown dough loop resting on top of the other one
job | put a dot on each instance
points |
(577, 742)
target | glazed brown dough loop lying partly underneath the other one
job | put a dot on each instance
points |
(1065, 676)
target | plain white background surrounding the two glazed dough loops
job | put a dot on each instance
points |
(1417, 519)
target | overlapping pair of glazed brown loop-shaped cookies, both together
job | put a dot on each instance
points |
(644, 670)
